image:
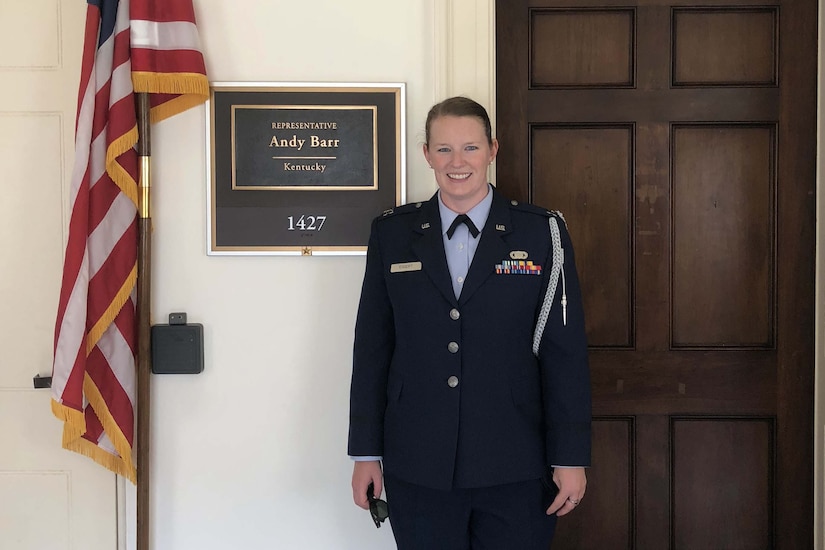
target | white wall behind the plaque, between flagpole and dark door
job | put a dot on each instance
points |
(252, 452)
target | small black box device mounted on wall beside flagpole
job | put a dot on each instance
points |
(177, 348)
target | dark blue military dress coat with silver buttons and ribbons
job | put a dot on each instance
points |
(452, 392)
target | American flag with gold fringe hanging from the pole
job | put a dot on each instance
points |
(129, 46)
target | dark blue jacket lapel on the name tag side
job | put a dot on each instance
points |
(429, 247)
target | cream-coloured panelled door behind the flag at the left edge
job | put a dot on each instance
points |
(50, 498)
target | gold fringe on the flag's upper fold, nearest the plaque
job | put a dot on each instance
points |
(193, 89)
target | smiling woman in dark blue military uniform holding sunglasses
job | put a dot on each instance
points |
(470, 378)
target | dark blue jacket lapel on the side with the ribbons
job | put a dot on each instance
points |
(491, 248)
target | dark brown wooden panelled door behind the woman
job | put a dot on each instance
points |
(679, 141)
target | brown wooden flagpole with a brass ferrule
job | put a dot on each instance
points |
(144, 321)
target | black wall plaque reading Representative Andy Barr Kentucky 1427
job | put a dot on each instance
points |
(302, 169)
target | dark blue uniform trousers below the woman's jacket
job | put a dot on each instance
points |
(501, 517)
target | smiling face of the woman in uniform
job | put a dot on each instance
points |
(459, 153)
